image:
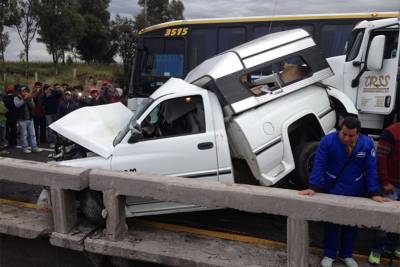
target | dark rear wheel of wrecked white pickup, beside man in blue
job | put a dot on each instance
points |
(304, 158)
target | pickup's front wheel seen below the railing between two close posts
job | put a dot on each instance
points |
(91, 205)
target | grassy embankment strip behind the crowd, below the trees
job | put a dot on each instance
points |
(86, 74)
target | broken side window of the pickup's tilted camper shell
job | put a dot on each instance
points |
(275, 76)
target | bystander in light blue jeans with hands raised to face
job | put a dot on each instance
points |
(24, 106)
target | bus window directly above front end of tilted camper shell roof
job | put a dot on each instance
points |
(230, 37)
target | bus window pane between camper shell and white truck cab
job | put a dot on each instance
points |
(333, 39)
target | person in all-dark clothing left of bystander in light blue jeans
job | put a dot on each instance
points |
(11, 115)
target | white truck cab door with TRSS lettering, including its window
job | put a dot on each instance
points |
(376, 91)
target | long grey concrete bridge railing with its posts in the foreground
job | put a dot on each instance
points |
(65, 181)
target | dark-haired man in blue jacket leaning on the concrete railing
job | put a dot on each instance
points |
(345, 164)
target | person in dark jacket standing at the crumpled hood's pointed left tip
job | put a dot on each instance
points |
(51, 102)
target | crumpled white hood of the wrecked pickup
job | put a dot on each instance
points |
(94, 127)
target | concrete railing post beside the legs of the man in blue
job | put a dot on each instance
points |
(297, 242)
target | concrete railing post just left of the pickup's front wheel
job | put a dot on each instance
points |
(64, 210)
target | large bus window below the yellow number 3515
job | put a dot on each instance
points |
(160, 59)
